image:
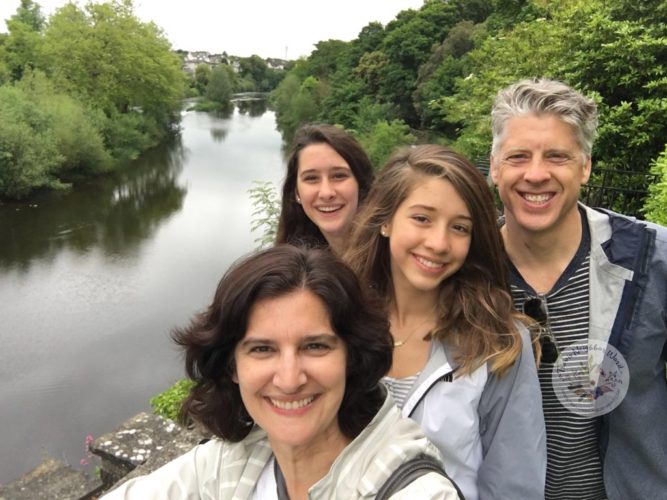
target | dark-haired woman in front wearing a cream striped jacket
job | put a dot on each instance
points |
(287, 363)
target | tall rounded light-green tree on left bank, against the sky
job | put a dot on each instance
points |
(113, 61)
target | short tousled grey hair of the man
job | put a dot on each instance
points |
(540, 97)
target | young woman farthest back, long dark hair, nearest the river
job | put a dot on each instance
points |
(328, 178)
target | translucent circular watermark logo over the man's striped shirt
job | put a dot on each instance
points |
(590, 378)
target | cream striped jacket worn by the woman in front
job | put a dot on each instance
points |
(222, 470)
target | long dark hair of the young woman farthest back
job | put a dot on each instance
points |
(294, 226)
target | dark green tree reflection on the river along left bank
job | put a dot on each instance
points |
(115, 213)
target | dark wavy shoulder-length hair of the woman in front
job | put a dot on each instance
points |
(210, 339)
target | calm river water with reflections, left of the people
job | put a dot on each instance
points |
(92, 282)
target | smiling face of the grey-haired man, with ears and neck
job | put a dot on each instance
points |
(539, 169)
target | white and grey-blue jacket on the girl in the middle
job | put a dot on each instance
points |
(489, 430)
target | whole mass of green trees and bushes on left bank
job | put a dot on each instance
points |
(81, 92)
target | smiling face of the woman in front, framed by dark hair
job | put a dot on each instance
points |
(291, 371)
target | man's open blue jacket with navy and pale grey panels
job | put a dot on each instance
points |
(628, 308)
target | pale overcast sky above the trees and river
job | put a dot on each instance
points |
(285, 29)
